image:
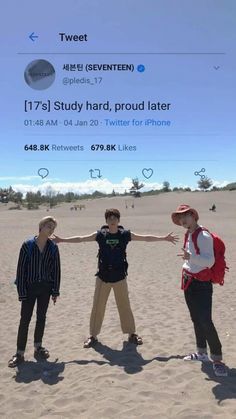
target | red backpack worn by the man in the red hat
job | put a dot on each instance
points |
(216, 273)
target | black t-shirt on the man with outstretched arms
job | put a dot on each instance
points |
(112, 263)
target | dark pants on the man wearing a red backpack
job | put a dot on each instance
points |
(198, 297)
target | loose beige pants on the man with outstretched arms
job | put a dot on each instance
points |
(102, 291)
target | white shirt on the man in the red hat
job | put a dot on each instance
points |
(205, 259)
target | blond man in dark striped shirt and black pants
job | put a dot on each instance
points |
(38, 278)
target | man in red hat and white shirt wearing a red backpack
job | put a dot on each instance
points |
(204, 264)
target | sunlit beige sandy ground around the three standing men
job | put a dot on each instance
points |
(115, 379)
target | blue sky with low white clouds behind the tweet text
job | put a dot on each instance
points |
(188, 51)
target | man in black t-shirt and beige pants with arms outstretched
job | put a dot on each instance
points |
(112, 240)
